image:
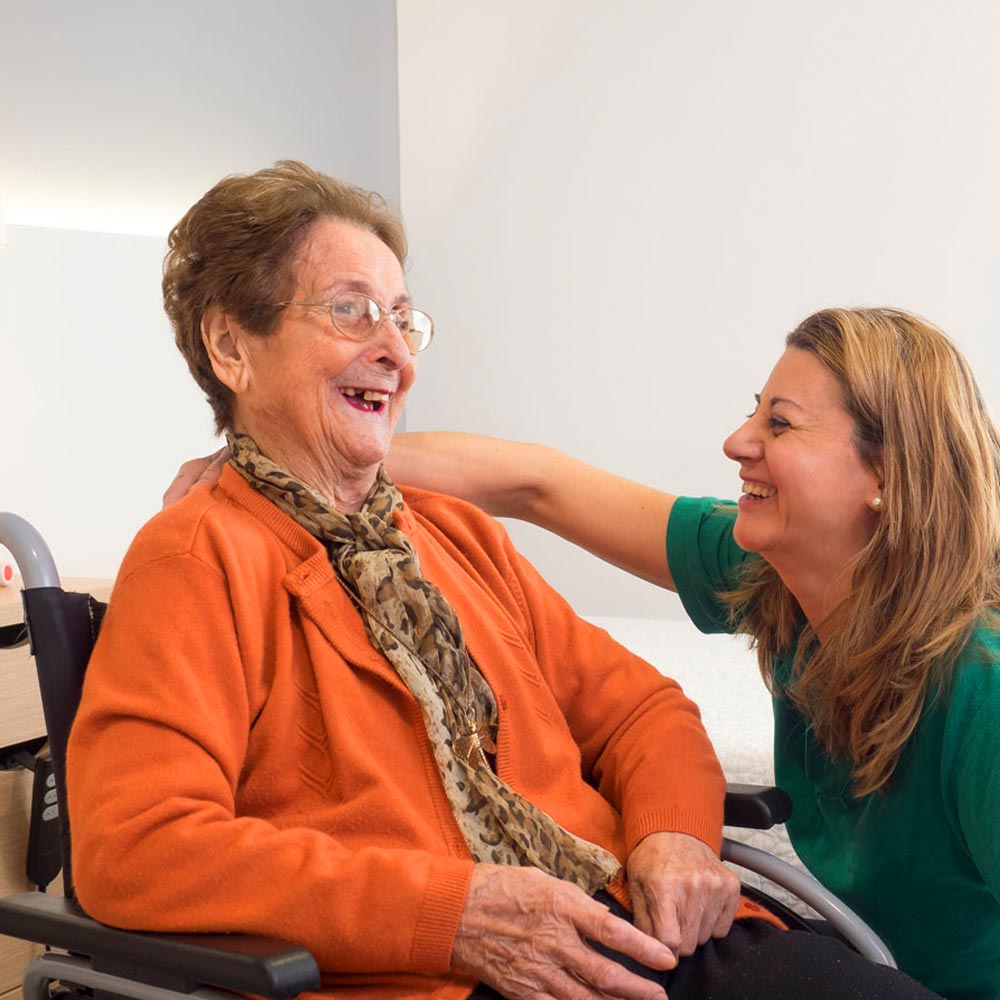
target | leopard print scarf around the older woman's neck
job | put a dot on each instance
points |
(412, 623)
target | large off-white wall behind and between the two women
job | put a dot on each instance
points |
(617, 211)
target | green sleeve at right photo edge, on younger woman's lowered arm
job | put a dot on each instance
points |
(975, 773)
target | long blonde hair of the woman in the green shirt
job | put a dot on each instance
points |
(931, 571)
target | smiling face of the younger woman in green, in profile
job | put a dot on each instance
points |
(807, 494)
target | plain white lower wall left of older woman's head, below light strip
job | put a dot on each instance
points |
(98, 406)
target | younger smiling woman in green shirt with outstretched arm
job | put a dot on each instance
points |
(863, 560)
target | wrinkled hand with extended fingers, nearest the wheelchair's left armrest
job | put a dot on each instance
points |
(522, 932)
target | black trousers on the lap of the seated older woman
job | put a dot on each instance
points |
(757, 960)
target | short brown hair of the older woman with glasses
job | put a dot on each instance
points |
(235, 248)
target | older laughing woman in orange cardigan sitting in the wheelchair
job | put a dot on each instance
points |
(324, 710)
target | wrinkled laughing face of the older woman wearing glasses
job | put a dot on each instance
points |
(324, 406)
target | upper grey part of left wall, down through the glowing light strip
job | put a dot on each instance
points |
(118, 114)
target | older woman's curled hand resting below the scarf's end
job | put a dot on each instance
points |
(682, 894)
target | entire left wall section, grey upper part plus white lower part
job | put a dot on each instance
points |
(117, 116)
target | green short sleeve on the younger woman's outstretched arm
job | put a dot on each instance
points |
(703, 558)
